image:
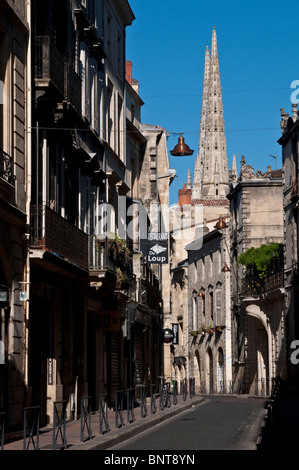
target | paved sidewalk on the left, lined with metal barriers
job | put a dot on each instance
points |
(114, 436)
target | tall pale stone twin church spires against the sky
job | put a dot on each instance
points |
(211, 167)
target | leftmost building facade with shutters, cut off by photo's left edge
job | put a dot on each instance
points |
(14, 185)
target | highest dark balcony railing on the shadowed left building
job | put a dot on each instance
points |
(49, 63)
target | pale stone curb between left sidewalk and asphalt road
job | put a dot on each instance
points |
(124, 433)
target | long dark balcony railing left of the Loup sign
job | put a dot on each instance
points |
(53, 233)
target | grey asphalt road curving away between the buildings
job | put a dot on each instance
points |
(220, 423)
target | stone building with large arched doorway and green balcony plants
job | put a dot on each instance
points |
(258, 321)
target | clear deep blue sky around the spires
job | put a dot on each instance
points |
(259, 59)
